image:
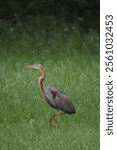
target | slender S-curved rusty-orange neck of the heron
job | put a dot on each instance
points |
(40, 81)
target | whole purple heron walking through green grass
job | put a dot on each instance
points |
(54, 97)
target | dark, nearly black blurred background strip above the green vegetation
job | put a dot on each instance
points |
(64, 10)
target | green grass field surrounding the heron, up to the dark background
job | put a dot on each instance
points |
(71, 59)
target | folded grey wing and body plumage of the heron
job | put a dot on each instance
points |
(59, 100)
